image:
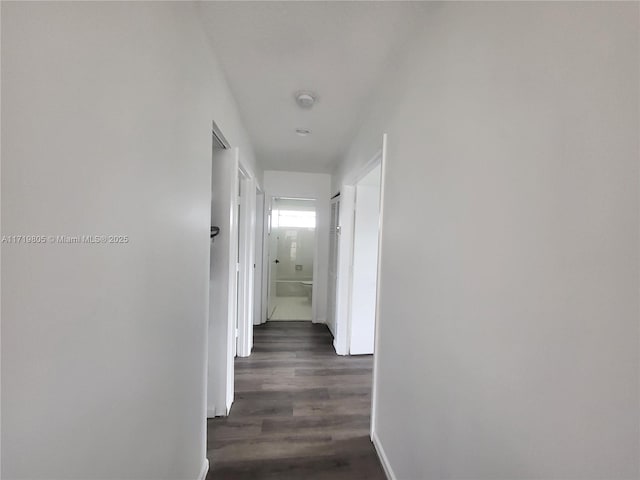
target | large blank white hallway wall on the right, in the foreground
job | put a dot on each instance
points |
(508, 342)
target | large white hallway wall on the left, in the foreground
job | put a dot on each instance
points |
(107, 111)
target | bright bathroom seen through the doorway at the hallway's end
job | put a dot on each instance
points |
(292, 246)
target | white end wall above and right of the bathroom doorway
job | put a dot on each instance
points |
(308, 185)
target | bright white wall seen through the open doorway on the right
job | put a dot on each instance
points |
(365, 265)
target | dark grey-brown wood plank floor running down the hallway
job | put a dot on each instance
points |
(301, 412)
